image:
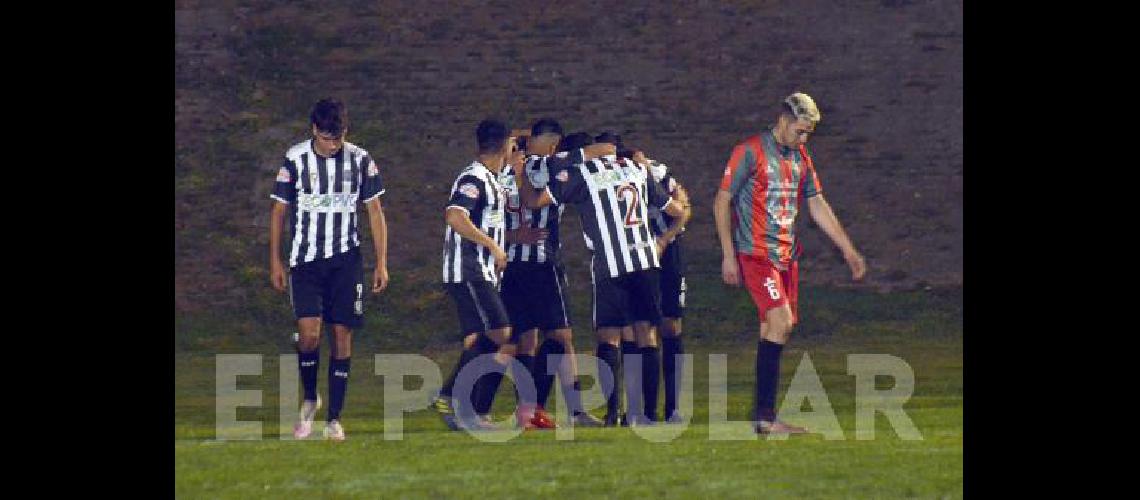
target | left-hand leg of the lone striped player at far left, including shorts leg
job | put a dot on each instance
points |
(305, 296)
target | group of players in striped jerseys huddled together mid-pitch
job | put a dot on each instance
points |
(515, 199)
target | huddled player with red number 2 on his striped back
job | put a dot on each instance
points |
(613, 196)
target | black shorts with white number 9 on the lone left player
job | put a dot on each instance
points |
(331, 289)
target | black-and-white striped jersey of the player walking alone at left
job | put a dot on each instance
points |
(324, 194)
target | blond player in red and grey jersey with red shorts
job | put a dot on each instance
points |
(768, 179)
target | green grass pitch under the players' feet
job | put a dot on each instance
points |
(922, 329)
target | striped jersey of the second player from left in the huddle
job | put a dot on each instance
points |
(535, 175)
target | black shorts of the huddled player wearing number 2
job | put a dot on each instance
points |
(622, 301)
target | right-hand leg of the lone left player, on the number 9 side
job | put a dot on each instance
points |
(345, 312)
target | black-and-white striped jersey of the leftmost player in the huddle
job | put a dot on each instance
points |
(478, 193)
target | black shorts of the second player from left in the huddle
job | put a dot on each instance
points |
(535, 296)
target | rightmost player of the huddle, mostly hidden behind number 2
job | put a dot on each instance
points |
(669, 232)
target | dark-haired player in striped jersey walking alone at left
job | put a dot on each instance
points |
(322, 181)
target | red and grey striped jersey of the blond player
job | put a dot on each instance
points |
(769, 185)
